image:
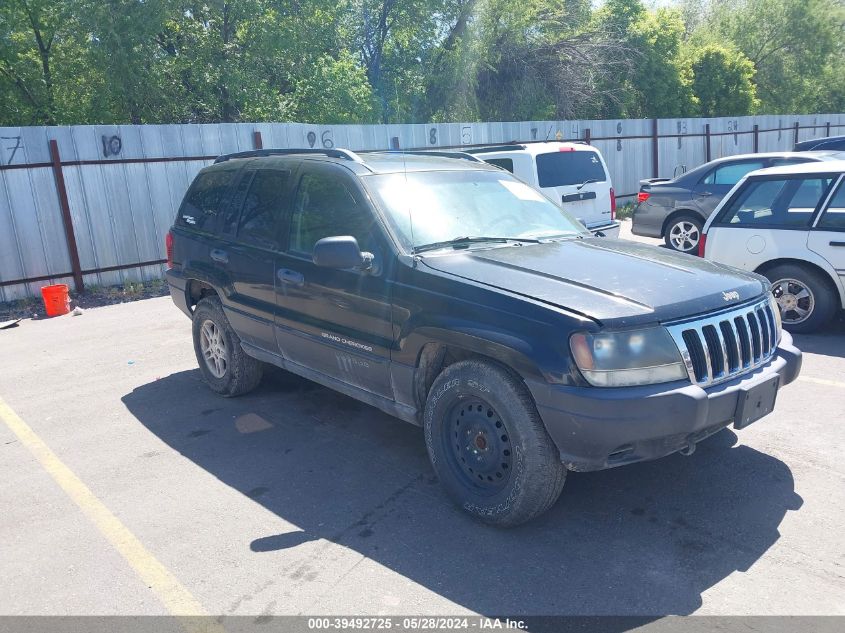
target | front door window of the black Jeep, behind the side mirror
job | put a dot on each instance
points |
(325, 207)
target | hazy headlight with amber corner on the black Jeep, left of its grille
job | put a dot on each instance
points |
(632, 357)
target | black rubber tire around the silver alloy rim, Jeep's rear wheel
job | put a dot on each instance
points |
(242, 372)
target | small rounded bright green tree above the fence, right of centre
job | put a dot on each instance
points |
(723, 82)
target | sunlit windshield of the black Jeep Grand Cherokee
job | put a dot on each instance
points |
(438, 206)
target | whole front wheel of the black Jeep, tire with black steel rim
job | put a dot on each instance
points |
(484, 407)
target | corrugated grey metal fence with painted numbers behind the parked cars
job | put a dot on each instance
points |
(93, 203)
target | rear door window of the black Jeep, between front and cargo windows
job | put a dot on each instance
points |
(263, 207)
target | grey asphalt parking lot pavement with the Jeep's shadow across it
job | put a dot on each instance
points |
(128, 487)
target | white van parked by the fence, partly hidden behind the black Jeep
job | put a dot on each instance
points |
(573, 175)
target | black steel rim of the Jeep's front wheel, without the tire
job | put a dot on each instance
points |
(478, 445)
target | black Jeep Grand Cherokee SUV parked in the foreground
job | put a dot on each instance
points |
(448, 293)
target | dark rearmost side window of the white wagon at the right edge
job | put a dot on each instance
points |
(782, 202)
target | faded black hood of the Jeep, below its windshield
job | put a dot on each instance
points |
(614, 282)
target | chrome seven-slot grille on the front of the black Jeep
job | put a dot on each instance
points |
(721, 346)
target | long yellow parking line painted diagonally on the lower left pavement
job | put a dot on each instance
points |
(175, 597)
